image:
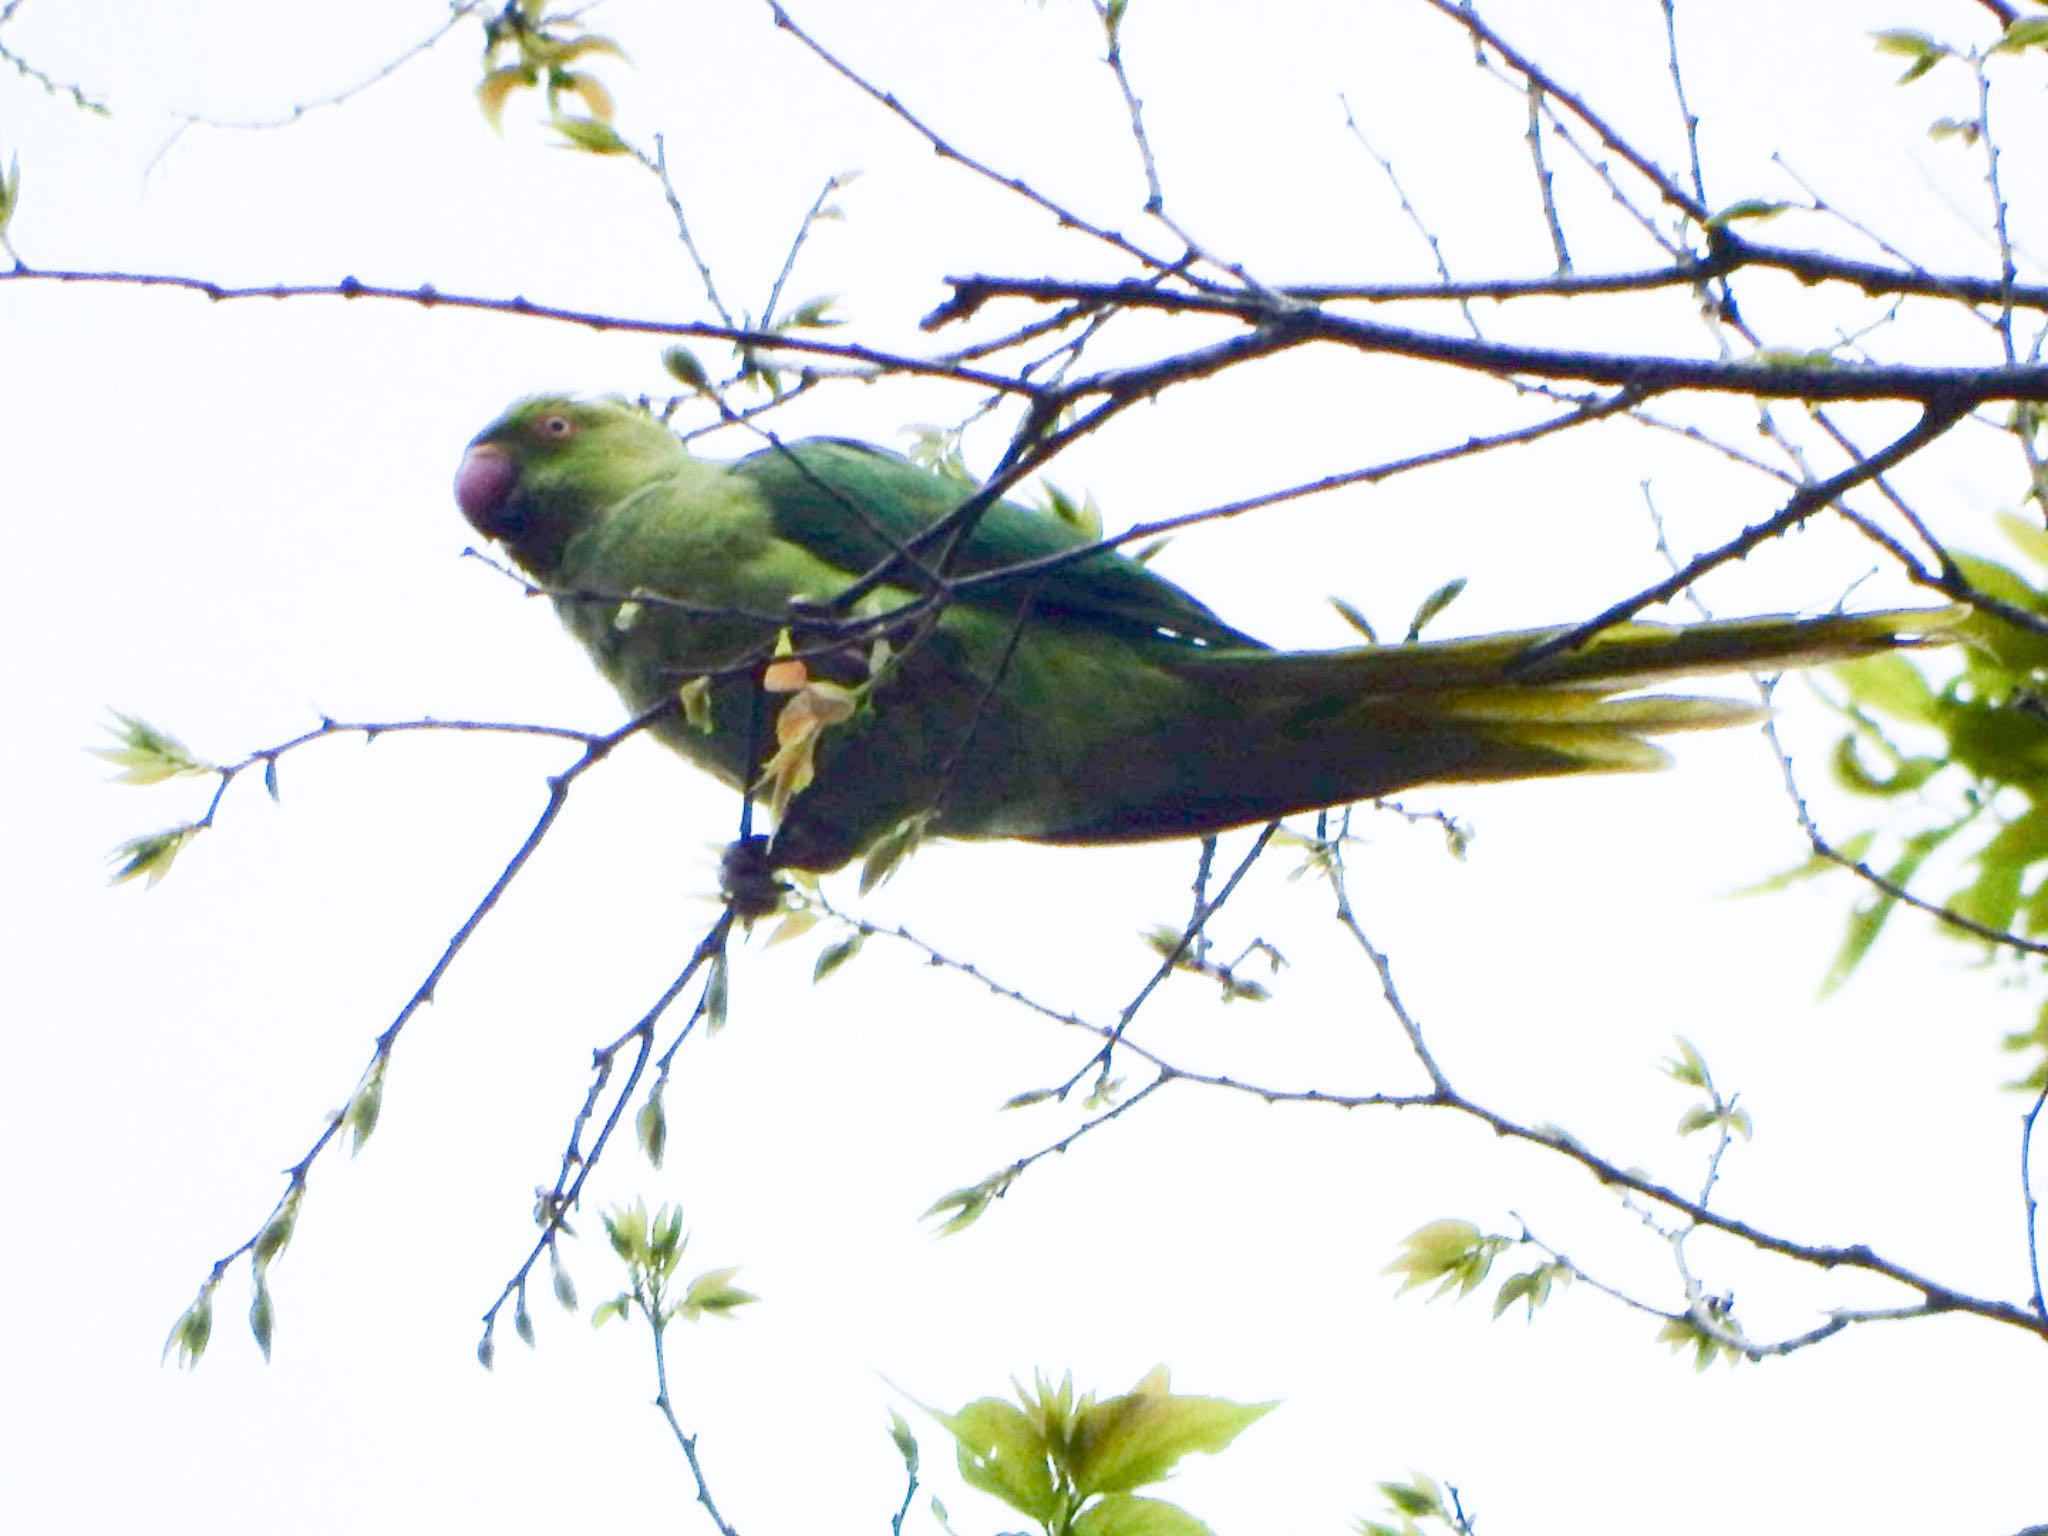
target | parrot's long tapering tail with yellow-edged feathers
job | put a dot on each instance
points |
(1347, 726)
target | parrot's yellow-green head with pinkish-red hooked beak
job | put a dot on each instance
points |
(550, 466)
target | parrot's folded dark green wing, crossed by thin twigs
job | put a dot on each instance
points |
(855, 507)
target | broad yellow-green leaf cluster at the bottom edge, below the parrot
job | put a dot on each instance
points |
(1072, 1463)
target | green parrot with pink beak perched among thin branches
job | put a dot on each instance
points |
(1002, 685)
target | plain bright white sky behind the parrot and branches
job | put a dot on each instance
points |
(232, 519)
